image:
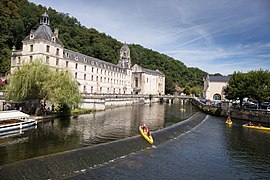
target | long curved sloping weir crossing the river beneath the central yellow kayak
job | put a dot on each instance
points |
(66, 164)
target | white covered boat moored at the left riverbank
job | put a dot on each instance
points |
(14, 120)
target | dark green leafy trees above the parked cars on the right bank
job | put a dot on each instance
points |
(254, 84)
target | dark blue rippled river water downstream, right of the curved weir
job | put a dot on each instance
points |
(212, 150)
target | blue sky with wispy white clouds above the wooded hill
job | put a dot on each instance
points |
(217, 36)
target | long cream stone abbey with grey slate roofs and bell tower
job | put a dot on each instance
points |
(93, 75)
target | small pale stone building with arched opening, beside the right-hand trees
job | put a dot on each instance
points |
(214, 87)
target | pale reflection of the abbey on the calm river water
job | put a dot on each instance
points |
(118, 123)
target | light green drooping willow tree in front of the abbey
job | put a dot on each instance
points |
(38, 81)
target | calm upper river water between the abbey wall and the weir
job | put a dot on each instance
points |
(87, 130)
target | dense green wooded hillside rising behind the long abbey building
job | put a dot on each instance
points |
(18, 17)
